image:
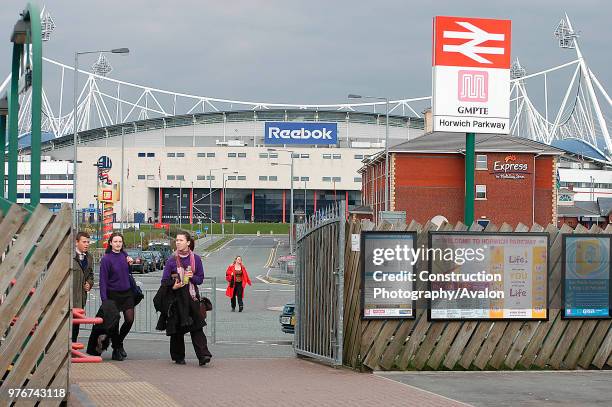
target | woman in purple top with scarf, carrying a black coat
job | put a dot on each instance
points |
(181, 314)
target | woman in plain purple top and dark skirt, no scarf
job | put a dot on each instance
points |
(115, 285)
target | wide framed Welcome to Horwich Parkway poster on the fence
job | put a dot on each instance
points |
(488, 276)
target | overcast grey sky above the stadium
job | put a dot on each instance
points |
(314, 51)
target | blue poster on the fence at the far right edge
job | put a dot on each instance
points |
(586, 276)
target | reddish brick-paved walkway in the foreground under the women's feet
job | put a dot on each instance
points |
(239, 382)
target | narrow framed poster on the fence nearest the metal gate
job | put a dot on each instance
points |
(387, 261)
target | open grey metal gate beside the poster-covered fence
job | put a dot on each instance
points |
(319, 285)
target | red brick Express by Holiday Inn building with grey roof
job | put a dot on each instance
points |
(515, 179)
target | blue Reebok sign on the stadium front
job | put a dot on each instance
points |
(301, 133)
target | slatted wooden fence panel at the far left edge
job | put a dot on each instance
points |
(34, 312)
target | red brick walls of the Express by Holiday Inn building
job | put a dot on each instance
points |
(427, 185)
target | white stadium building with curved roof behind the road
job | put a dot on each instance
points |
(220, 163)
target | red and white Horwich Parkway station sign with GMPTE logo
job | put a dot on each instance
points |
(471, 75)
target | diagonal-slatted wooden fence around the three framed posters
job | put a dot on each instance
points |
(472, 345)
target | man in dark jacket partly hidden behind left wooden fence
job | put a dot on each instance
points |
(82, 275)
